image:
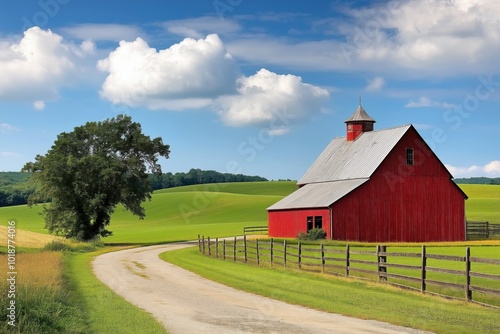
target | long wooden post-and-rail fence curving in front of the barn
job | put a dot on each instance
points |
(445, 275)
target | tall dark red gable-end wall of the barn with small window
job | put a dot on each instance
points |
(403, 203)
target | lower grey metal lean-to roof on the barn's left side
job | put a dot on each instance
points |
(317, 195)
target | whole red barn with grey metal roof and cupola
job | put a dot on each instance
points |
(375, 186)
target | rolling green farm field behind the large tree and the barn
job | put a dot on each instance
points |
(218, 210)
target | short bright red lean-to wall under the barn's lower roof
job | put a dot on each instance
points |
(288, 223)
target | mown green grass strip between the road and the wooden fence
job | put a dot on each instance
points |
(348, 297)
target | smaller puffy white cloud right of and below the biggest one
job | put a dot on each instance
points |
(268, 97)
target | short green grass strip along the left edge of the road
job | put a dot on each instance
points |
(106, 311)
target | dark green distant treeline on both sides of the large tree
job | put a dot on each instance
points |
(15, 188)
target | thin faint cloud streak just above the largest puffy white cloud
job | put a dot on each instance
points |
(104, 32)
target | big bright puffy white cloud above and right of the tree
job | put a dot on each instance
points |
(186, 75)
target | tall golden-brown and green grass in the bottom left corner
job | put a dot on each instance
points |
(43, 302)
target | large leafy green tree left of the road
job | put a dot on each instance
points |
(89, 171)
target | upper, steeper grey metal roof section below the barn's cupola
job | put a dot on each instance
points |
(358, 159)
